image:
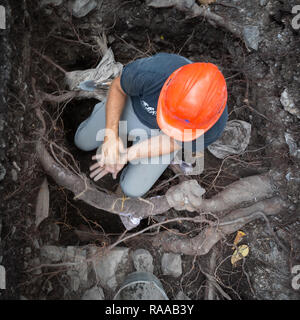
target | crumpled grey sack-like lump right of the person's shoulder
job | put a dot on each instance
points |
(234, 139)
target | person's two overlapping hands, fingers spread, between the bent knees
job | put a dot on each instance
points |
(112, 159)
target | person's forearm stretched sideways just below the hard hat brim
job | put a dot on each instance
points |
(153, 147)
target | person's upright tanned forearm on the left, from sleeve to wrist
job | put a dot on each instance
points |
(114, 106)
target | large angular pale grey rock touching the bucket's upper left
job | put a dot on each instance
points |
(111, 268)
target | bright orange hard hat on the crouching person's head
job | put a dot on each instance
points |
(193, 97)
